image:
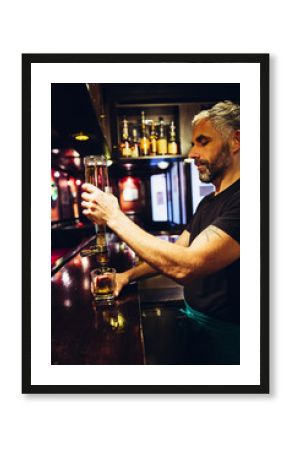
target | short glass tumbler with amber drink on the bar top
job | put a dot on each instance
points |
(103, 282)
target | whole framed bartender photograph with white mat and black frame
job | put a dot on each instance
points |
(162, 133)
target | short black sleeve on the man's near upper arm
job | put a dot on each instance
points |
(229, 220)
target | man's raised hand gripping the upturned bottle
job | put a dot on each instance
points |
(100, 207)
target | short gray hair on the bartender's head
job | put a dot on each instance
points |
(225, 117)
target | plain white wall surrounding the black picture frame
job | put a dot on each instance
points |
(201, 421)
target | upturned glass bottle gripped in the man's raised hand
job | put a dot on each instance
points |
(96, 173)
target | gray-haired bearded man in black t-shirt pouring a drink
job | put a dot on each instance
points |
(205, 259)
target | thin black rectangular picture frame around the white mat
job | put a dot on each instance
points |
(263, 61)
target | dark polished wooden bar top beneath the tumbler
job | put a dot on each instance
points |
(86, 333)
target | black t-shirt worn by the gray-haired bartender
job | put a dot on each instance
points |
(218, 294)
